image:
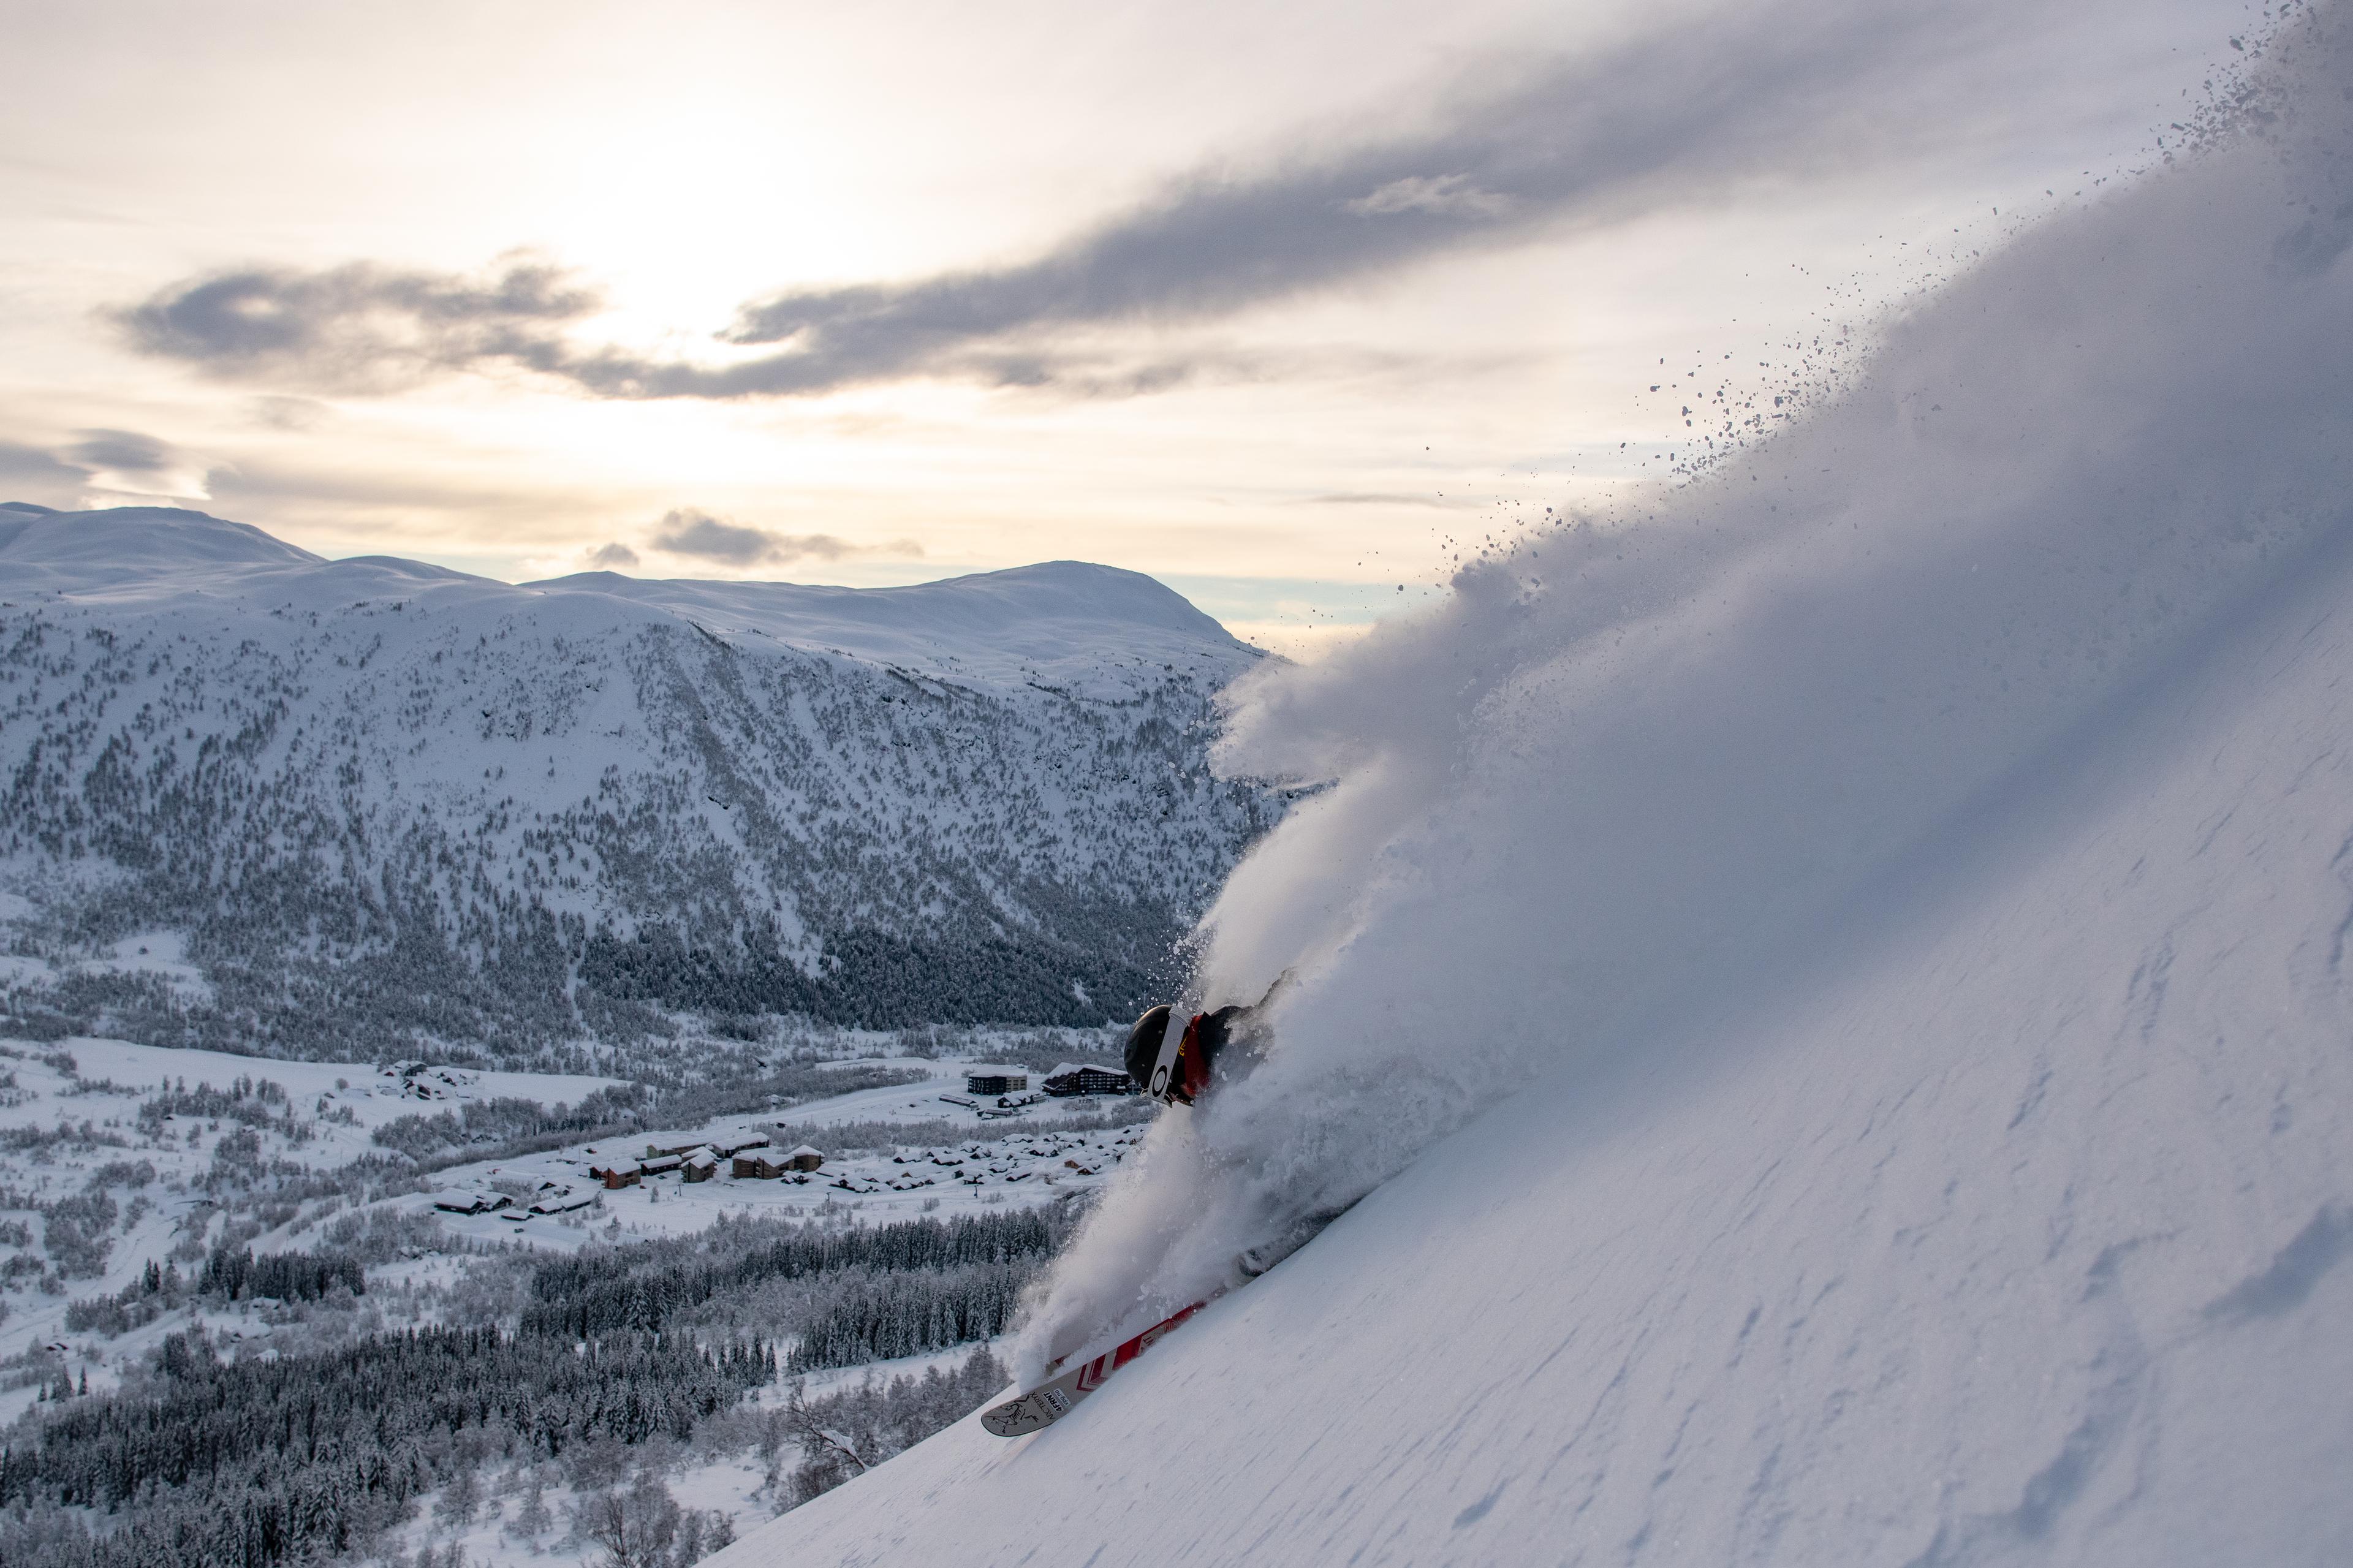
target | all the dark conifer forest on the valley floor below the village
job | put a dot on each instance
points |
(295, 1459)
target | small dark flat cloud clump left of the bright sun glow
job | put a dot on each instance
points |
(361, 328)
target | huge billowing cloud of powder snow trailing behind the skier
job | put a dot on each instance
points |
(1653, 748)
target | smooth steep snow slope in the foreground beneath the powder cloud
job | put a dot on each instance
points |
(2022, 1242)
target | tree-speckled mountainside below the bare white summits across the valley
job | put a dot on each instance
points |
(895, 851)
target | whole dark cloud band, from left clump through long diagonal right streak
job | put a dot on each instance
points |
(1653, 121)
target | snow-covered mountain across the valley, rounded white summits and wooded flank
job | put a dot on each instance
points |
(371, 802)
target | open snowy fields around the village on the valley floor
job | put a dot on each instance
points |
(989, 1162)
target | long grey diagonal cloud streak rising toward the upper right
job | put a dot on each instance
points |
(1655, 121)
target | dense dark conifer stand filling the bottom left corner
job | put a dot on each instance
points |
(258, 1463)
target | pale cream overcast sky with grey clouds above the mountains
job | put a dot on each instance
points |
(1269, 303)
